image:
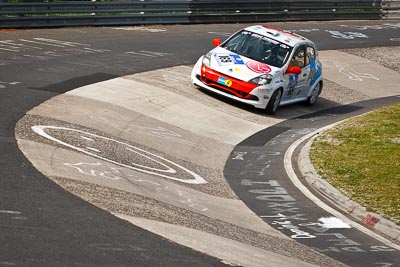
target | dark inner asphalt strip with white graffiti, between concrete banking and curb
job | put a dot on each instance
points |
(284, 206)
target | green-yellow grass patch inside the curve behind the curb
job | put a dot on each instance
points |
(361, 158)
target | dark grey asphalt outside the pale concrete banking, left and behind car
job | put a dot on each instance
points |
(42, 224)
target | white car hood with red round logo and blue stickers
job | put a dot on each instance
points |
(237, 66)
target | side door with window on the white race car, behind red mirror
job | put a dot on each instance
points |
(298, 84)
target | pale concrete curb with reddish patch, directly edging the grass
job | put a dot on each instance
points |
(356, 211)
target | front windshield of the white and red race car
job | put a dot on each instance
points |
(259, 48)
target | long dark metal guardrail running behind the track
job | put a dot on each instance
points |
(29, 14)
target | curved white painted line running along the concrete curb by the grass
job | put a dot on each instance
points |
(295, 180)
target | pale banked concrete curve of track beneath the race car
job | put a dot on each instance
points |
(150, 148)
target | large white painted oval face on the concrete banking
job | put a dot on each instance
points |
(132, 157)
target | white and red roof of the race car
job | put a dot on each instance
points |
(282, 36)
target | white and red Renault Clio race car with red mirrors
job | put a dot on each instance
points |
(263, 67)
